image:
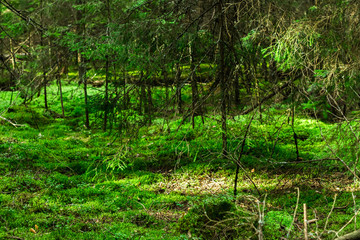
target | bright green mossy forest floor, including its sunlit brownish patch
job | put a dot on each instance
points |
(75, 183)
